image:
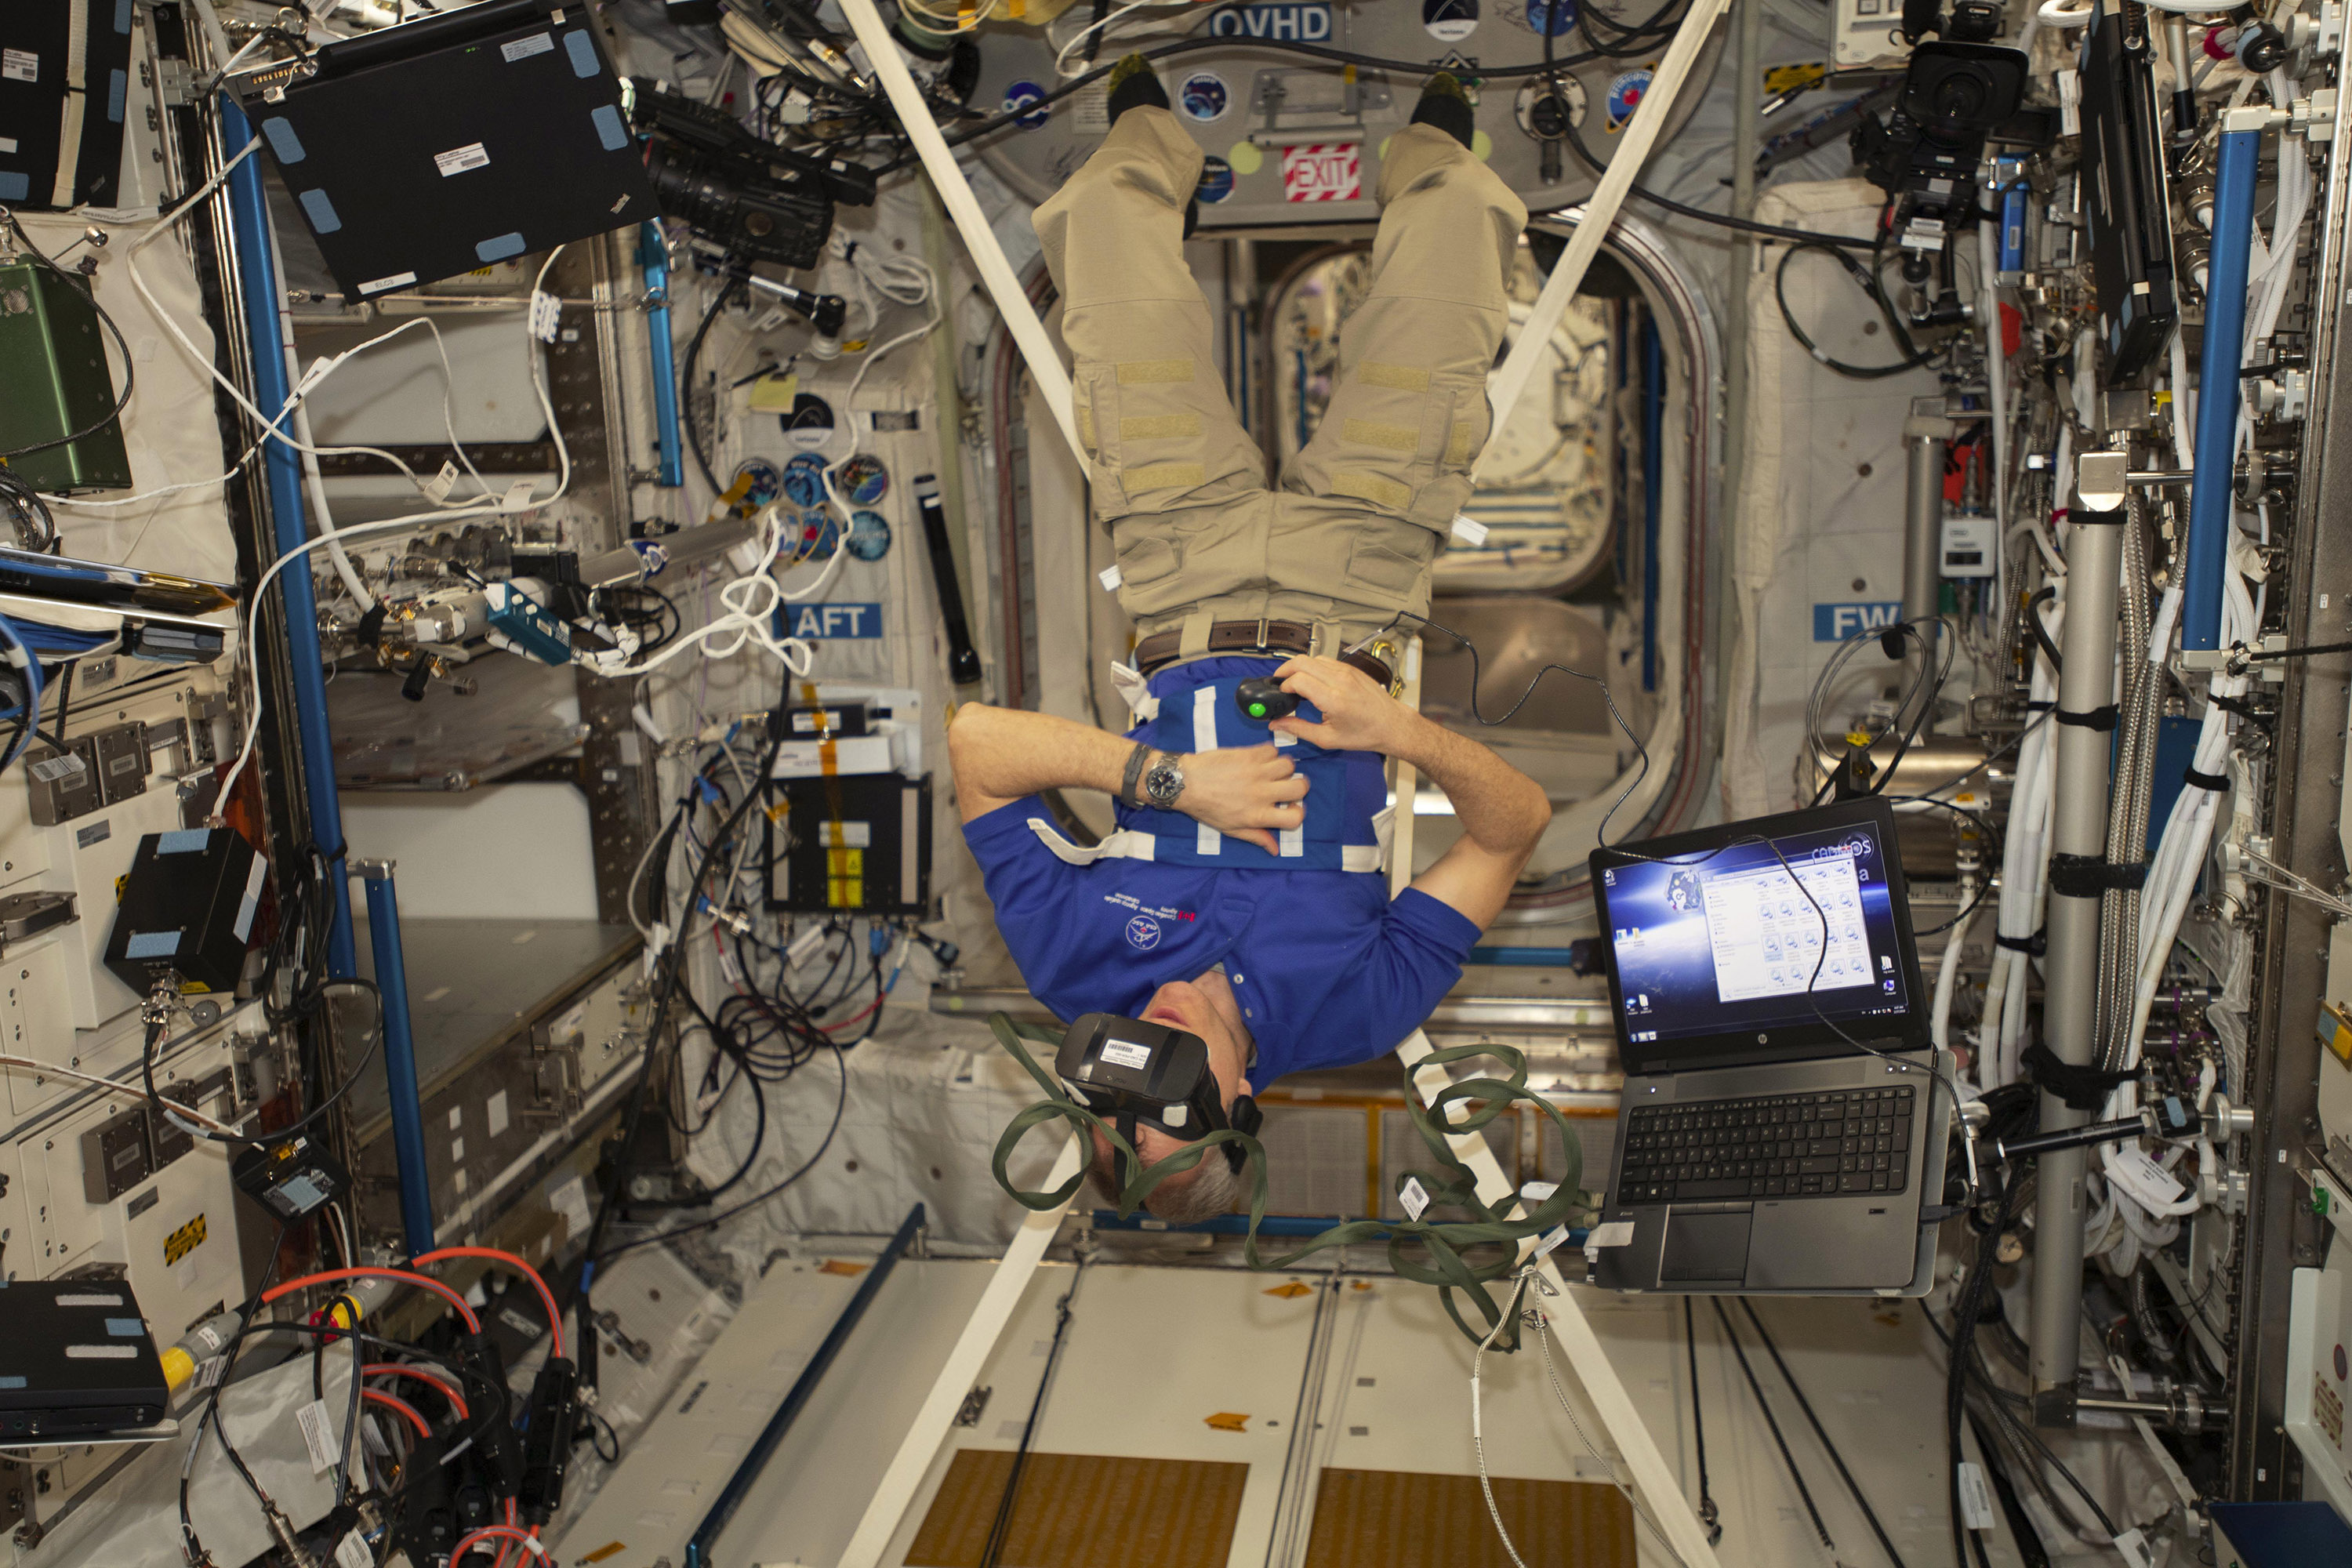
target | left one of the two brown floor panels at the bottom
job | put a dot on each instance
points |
(1083, 1510)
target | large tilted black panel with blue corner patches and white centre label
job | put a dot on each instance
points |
(446, 145)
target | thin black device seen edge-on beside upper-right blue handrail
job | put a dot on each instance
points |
(2123, 173)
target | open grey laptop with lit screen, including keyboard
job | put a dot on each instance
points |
(1760, 1148)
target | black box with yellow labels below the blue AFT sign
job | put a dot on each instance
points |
(850, 845)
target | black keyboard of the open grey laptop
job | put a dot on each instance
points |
(1770, 1148)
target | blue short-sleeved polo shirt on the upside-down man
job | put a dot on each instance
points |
(1328, 970)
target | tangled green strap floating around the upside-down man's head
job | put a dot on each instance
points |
(1426, 1252)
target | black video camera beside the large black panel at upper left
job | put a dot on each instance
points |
(747, 196)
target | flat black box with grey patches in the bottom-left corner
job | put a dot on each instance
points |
(76, 1362)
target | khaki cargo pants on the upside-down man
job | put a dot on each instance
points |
(1349, 537)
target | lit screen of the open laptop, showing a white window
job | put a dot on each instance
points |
(1760, 937)
